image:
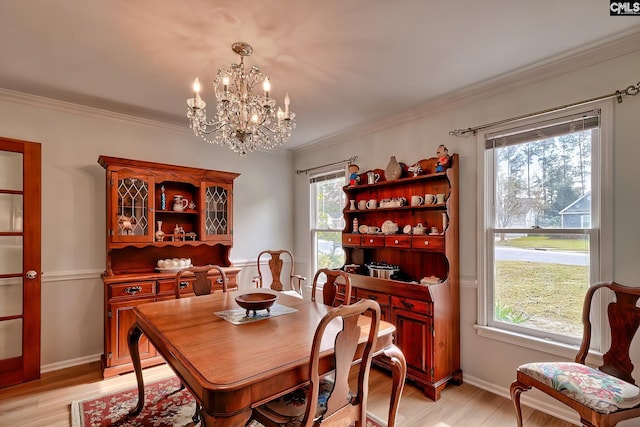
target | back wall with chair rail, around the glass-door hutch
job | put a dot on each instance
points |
(73, 206)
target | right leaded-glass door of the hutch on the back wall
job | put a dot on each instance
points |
(217, 219)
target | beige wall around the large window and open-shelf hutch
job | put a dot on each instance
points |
(486, 362)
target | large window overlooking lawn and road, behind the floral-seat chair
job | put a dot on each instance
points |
(545, 221)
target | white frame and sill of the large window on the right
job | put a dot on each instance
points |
(602, 219)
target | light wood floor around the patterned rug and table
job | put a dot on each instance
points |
(45, 402)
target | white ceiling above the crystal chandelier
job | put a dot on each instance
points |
(344, 63)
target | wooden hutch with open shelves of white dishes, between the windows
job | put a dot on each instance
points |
(427, 315)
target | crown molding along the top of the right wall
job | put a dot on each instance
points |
(576, 59)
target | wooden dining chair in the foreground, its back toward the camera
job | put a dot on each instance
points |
(330, 401)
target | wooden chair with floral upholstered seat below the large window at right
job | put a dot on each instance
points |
(602, 396)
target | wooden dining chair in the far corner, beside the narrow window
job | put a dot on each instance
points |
(276, 259)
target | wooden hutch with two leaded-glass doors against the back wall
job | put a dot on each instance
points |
(140, 197)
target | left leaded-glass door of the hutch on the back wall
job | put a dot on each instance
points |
(131, 214)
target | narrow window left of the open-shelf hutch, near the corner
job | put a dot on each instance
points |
(327, 222)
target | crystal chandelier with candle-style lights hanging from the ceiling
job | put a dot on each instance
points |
(244, 120)
